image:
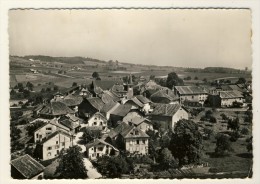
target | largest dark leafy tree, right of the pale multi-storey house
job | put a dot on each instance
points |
(186, 142)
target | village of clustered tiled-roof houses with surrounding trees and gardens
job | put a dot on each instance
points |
(132, 126)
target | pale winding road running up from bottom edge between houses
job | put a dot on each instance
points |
(92, 172)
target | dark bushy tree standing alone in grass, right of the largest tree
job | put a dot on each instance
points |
(223, 145)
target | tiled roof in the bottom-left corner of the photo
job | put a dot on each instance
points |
(27, 166)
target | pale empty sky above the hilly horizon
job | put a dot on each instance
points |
(169, 37)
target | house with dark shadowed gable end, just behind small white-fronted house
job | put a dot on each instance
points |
(90, 106)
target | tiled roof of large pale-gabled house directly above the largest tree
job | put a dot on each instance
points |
(165, 109)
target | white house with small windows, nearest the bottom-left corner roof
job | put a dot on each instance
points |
(53, 144)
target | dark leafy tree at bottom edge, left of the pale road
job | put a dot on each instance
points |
(71, 164)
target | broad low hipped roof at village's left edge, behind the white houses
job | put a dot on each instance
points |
(56, 108)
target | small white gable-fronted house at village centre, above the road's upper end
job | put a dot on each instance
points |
(97, 120)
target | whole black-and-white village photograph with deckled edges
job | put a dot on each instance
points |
(111, 93)
